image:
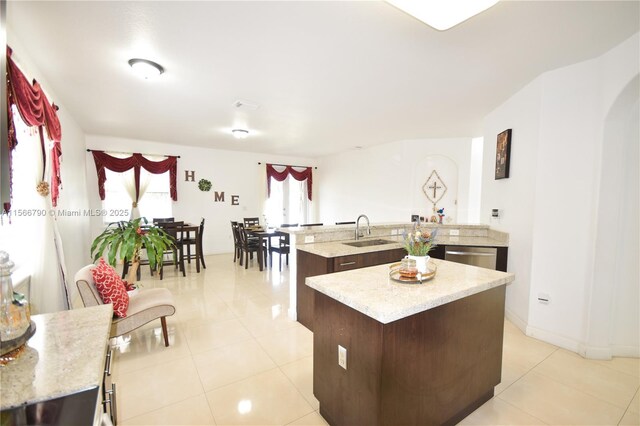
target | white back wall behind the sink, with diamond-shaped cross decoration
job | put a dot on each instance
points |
(385, 181)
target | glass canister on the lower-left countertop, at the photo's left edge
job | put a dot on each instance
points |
(15, 317)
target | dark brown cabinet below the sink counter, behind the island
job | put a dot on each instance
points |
(309, 265)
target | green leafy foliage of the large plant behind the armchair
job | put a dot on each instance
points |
(124, 240)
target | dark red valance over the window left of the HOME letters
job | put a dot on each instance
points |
(135, 162)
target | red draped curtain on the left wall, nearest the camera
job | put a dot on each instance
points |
(35, 110)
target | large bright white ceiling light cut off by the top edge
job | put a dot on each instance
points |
(442, 14)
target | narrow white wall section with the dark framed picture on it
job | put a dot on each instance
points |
(515, 196)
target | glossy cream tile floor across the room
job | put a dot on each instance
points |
(236, 358)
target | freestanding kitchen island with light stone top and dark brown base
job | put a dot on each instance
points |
(415, 354)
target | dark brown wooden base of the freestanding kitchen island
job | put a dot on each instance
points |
(434, 367)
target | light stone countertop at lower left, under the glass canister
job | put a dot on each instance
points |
(65, 355)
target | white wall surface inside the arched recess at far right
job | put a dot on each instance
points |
(614, 319)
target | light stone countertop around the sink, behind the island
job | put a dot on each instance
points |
(338, 248)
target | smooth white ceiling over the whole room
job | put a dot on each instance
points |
(328, 75)
